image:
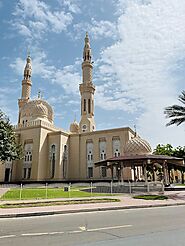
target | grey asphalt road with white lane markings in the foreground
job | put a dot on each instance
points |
(139, 227)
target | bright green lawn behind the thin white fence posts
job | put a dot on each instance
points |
(40, 193)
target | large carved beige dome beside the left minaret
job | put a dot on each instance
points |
(37, 109)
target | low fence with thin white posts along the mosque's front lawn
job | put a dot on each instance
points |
(71, 190)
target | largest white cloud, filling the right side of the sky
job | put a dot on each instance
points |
(151, 40)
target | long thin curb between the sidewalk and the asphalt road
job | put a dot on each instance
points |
(44, 213)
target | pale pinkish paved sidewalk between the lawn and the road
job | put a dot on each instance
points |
(126, 202)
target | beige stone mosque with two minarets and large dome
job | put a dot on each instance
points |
(53, 154)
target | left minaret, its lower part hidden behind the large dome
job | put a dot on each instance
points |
(26, 85)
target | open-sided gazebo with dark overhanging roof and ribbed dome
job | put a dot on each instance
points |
(138, 158)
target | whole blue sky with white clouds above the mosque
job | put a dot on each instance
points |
(138, 49)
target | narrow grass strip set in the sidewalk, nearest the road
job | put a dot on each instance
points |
(48, 203)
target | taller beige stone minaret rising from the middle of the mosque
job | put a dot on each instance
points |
(87, 89)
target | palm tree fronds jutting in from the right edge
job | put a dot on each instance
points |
(176, 112)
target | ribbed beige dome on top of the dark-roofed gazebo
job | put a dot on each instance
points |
(137, 146)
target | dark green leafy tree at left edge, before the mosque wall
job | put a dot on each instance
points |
(9, 148)
